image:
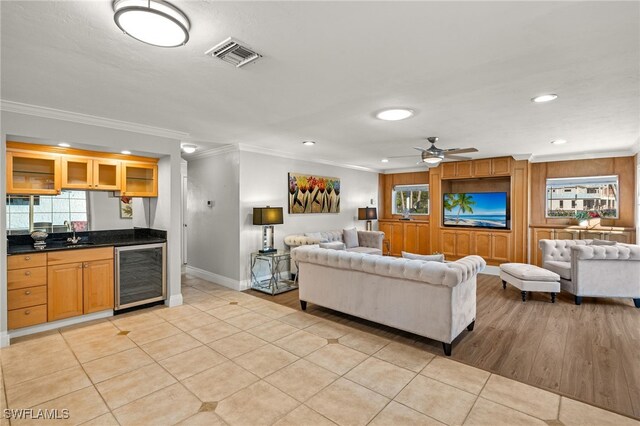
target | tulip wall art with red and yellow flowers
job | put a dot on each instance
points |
(313, 194)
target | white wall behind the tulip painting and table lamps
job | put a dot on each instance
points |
(264, 181)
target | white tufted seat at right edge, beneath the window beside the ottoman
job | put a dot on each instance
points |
(591, 270)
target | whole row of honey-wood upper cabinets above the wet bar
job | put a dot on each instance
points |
(42, 169)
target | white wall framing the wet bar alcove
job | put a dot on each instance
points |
(164, 211)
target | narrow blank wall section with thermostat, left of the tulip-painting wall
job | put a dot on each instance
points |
(213, 243)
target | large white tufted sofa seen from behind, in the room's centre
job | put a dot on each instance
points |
(432, 299)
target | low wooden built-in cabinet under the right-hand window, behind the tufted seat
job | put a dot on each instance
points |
(621, 235)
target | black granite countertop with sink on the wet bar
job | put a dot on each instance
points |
(20, 244)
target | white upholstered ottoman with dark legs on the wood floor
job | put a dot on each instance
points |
(530, 278)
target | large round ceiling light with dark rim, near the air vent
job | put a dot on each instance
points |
(154, 22)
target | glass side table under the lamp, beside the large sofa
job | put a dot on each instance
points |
(267, 270)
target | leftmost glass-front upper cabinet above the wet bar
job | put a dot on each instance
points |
(33, 173)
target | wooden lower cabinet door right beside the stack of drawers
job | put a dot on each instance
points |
(65, 291)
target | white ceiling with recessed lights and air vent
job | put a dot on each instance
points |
(467, 68)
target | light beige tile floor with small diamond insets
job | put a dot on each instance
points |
(230, 358)
